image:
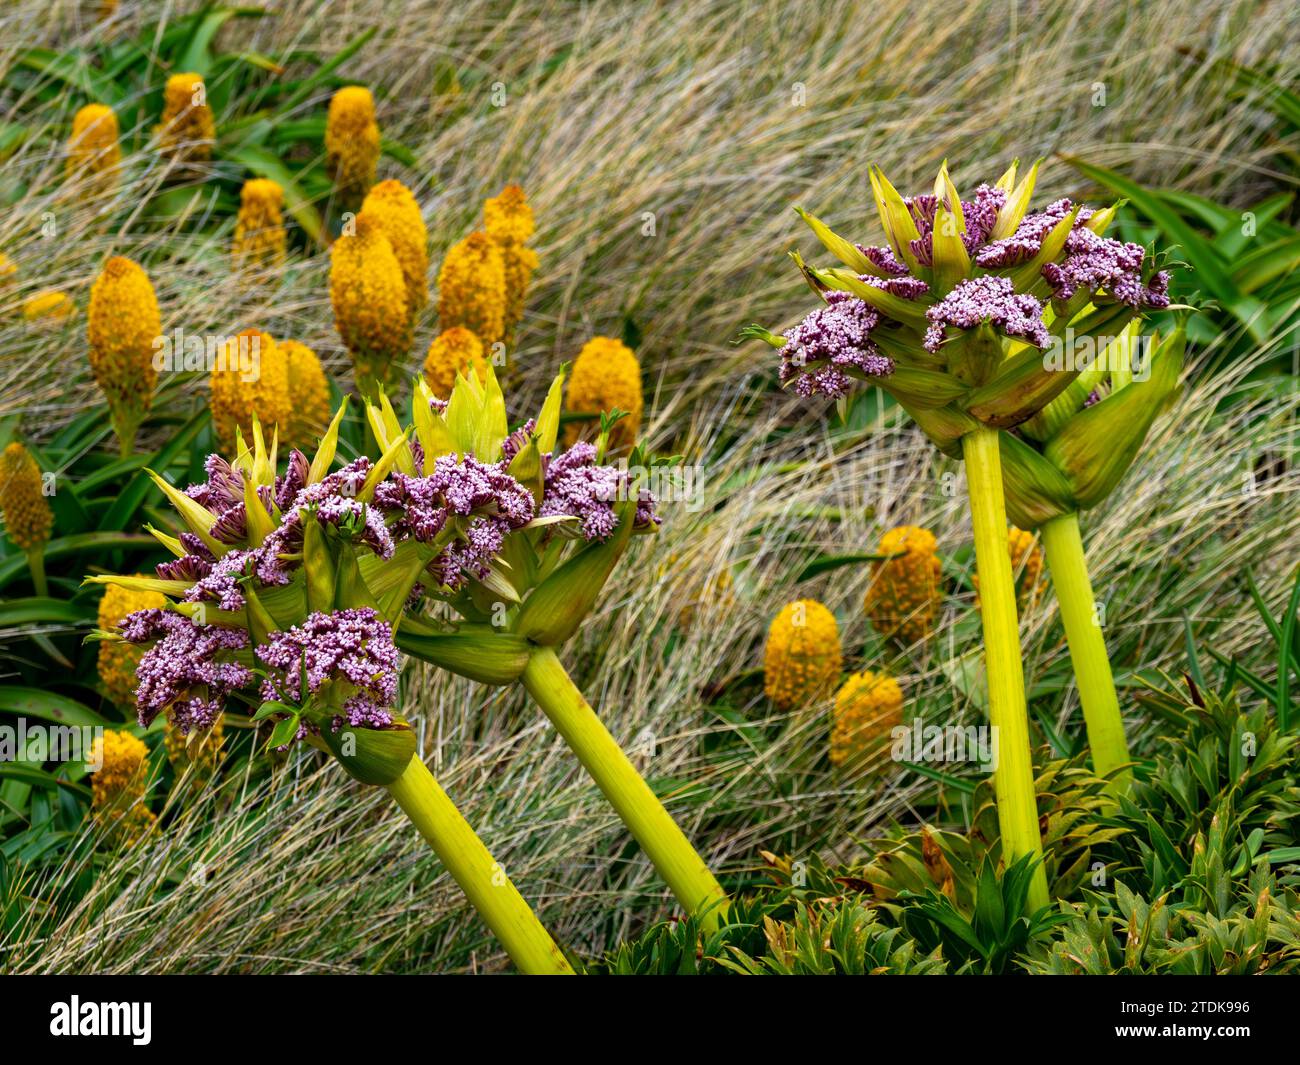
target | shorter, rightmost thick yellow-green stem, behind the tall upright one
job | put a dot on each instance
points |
(1069, 566)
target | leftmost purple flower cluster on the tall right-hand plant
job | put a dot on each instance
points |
(822, 350)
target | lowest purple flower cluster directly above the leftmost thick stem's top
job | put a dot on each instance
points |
(350, 647)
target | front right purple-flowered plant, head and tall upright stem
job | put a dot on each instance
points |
(952, 318)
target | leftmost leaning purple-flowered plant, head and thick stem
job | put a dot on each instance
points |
(268, 612)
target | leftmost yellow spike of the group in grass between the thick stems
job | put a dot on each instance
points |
(803, 659)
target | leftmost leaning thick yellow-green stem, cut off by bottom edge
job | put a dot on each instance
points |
(480, 877)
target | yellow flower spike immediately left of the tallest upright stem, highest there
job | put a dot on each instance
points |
(907, 591)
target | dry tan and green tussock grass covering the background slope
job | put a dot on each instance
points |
(686, 111)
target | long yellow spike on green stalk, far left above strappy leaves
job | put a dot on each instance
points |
(122, 326)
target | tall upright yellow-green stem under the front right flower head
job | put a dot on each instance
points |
(1013, 780)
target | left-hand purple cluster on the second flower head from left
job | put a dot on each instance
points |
(487, 500)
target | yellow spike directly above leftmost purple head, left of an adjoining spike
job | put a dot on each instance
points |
(249, 382)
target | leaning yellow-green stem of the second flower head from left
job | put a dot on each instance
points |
(630, 795)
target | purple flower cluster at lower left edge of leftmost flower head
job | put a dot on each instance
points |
(181, 673)
